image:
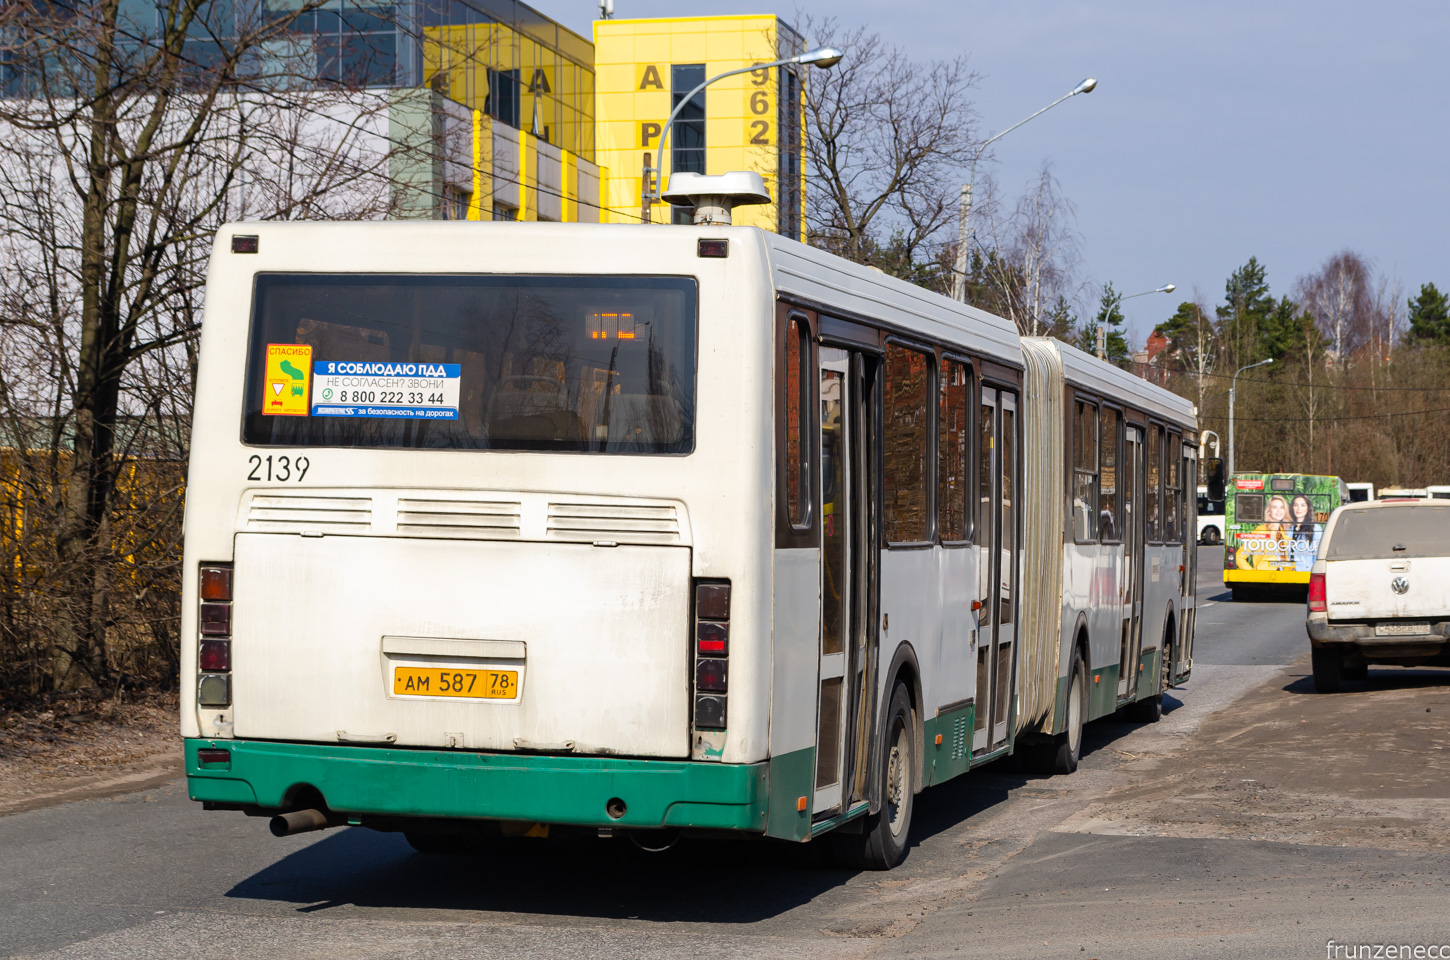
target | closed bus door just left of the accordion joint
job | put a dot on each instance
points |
(998, 542)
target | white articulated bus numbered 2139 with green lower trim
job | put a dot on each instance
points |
(494, 529)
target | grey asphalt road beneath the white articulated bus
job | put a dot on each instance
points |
(1003, 865)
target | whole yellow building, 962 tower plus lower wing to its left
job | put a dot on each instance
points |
(513, 117)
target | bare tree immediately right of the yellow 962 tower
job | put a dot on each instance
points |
(884, 136)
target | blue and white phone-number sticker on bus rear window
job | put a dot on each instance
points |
(420, 392)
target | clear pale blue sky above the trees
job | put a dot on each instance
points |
(1285, 130)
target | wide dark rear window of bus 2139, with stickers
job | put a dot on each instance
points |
(584, 365)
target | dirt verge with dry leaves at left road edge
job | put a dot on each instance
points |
(82, 749)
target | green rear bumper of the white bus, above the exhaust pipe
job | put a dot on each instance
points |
(266, 777)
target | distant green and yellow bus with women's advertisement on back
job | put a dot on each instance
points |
(1272, 529)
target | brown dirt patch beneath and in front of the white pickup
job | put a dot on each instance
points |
(1367, 768)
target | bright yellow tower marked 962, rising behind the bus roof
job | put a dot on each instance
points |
(747, 123)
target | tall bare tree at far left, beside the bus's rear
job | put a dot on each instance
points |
(124, 134)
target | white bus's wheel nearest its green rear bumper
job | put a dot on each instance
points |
(882, 842)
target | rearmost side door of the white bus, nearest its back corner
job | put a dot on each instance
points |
(843, 720)
